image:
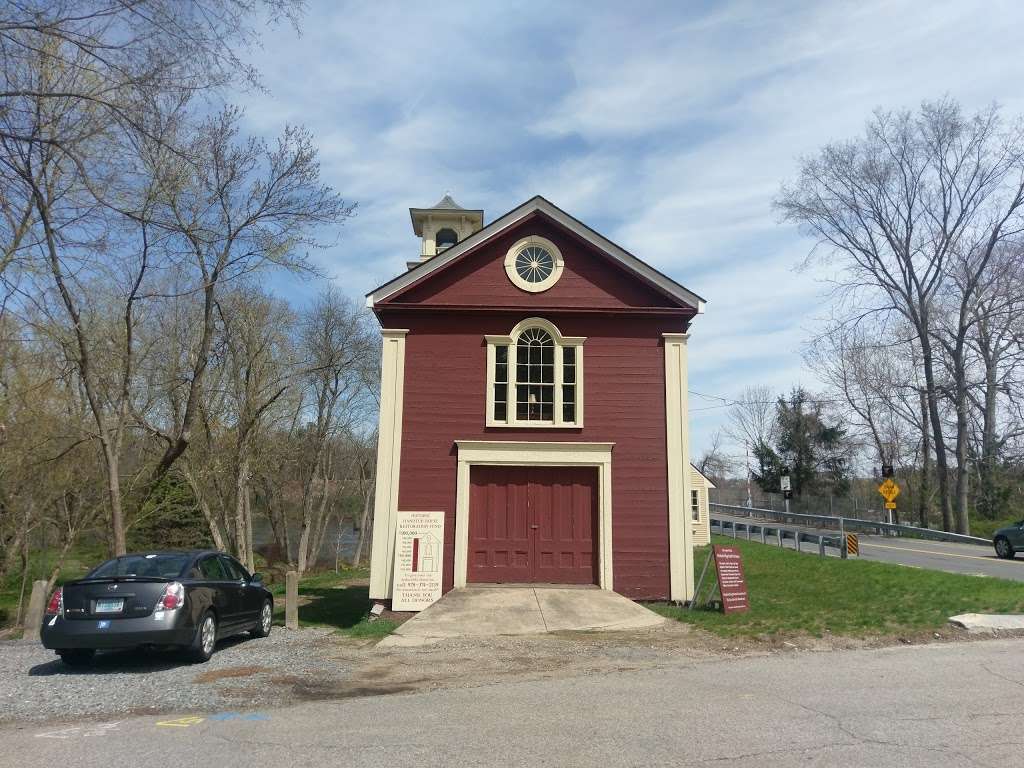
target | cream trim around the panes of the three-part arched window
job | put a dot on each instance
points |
(562, 343)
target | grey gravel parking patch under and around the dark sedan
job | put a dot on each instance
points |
(243, 675)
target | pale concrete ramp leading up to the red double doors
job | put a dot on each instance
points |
(490, 612)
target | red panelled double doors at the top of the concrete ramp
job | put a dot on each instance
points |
(533, 525)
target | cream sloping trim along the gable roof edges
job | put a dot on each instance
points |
(514, 218)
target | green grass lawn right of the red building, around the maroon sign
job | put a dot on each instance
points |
(796, 594)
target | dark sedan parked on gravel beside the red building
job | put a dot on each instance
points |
(187, 601)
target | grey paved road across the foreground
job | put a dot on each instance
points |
(955, 704)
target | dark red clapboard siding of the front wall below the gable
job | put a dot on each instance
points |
(624, 386)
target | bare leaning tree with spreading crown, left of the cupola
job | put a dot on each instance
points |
(244, 207)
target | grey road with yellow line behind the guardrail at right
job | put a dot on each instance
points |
(955, 559)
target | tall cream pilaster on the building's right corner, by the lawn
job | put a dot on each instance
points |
(678, 455)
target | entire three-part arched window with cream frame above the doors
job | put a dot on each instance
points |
(535, 377)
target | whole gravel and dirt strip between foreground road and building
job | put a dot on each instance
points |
(318, 665)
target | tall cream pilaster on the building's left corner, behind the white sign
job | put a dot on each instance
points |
(389, 462)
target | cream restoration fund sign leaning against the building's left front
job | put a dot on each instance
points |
(419, 550)
